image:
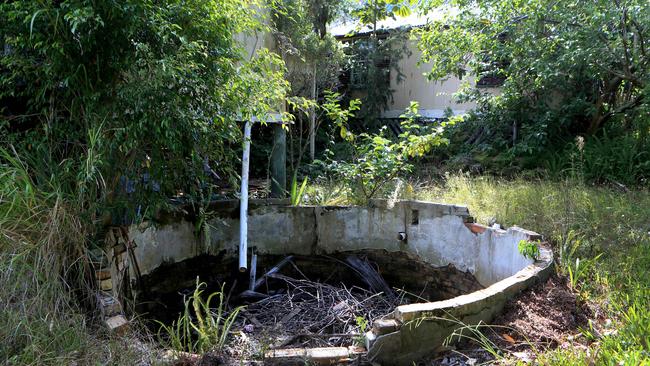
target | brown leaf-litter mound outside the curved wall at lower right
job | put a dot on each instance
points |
(545, 316)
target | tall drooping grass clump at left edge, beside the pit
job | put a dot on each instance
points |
(43, 266)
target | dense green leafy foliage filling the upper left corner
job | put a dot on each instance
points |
(120, 90)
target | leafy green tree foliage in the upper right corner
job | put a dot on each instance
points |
(570, 67)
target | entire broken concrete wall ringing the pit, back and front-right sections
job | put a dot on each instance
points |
(438, 234)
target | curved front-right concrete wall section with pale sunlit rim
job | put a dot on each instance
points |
(415, 331)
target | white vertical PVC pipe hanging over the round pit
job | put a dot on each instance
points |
(243, 205)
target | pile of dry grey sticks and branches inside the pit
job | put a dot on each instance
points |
(305, 313)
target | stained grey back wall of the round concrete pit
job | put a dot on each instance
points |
(437, 233)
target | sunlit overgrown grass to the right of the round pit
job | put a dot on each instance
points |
(601, 238)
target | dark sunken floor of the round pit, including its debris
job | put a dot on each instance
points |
(302, 301)
